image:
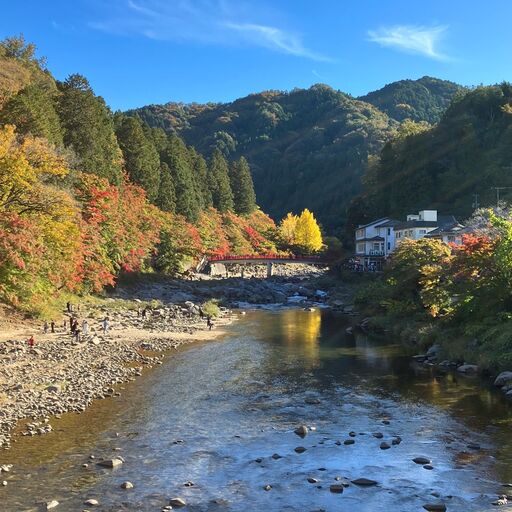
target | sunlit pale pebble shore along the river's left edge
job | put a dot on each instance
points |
(60, 375)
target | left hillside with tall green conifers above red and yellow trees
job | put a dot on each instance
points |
(86, 194)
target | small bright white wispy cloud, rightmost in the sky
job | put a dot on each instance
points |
(412, 39)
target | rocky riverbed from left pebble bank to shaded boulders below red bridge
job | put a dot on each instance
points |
(63, 374)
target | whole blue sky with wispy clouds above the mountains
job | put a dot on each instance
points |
(136, 52)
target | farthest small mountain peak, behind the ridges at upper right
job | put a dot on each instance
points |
(425, 99)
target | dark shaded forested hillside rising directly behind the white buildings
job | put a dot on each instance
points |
(468, 152)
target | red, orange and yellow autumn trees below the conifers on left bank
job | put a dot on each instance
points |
(80, 237)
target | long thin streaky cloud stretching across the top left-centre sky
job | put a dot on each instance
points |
(224, 22)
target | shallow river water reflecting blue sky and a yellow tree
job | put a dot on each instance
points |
(212, 409)
